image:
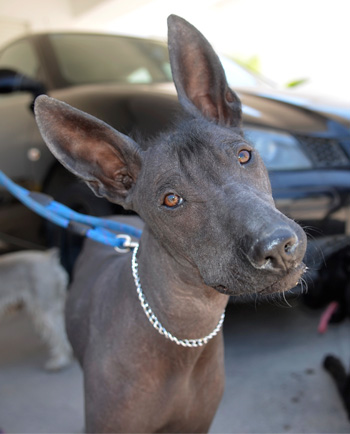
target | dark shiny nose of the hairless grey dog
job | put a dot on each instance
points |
(279, 251)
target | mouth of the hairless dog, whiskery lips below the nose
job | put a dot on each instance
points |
(283, 284)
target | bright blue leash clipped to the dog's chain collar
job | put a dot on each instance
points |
(98, 229)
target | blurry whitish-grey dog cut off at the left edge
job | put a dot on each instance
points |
(38, 281)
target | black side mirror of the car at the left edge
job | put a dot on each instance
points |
(12, 81)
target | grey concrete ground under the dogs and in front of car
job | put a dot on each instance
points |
(275, 382)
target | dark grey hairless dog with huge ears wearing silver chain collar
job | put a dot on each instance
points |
(146, 326)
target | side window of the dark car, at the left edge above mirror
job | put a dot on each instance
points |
(22, 58)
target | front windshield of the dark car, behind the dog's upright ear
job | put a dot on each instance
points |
(88, 58)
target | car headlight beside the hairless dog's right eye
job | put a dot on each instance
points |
(280, 151)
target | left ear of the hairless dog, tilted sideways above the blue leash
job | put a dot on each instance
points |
(108, 161)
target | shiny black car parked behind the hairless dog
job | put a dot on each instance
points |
(127, 83)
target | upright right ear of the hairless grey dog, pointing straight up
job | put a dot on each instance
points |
(199, 76)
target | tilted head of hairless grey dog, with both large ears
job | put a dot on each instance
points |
(201, 188)
